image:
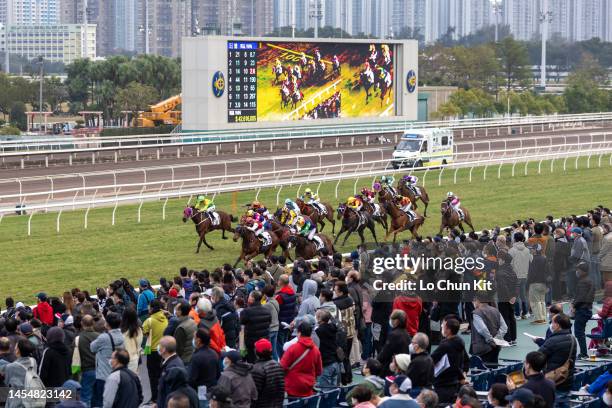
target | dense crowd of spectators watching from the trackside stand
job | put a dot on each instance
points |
(269, 333)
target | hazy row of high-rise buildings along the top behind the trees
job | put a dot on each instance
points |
(121, 25)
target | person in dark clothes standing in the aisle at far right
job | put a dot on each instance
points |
(583, 305)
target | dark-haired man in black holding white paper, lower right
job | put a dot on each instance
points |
(451, 349)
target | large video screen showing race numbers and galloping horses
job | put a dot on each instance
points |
(286, 81)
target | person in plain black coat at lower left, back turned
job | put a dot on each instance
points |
(56, 359)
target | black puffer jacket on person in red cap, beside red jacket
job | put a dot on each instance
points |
(269, 379)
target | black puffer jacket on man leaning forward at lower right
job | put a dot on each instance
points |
(557, 348)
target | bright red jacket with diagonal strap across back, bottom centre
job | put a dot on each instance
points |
(300, 380)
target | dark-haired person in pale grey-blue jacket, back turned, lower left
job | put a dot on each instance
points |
(103, 347)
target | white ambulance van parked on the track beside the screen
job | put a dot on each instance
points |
(423, 148)
